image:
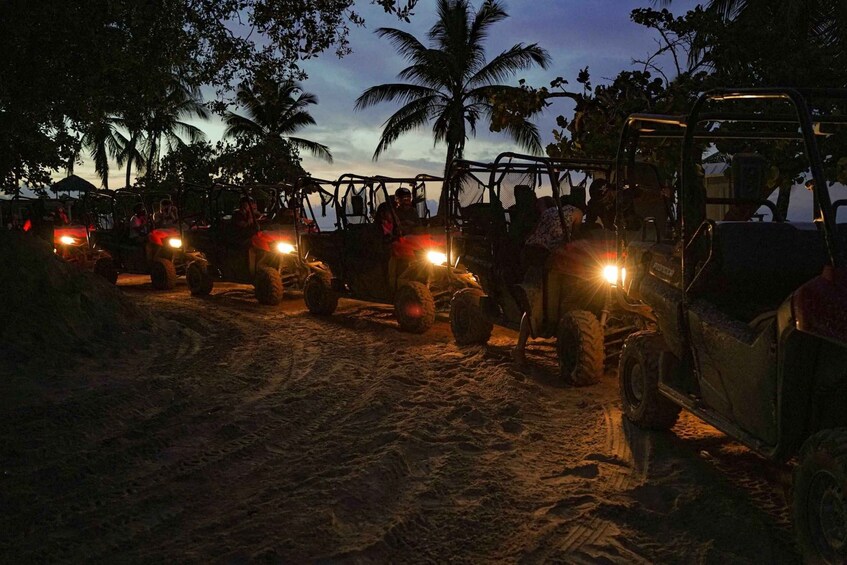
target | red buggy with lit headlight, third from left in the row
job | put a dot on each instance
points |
(266, 254)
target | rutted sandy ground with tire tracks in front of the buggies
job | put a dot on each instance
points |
(269, 435)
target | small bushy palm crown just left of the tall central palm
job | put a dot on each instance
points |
(274, 111)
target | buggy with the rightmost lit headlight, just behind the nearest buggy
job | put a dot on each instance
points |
(569, 297)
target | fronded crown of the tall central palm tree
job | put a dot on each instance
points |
(451, 83)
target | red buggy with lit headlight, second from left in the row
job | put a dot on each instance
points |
(156, 250)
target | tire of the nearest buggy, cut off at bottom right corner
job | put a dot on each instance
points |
(820, 487)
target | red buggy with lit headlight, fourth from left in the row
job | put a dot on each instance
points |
(404, 265)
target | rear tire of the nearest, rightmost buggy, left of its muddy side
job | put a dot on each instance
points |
(638, 378)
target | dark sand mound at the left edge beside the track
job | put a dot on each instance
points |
(53, 310)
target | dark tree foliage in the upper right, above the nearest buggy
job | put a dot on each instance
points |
(726, 44)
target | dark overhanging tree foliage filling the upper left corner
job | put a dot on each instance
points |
(69, 65)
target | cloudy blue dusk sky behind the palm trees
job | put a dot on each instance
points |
(576, 33)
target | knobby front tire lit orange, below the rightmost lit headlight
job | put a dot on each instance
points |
(580, 348)
